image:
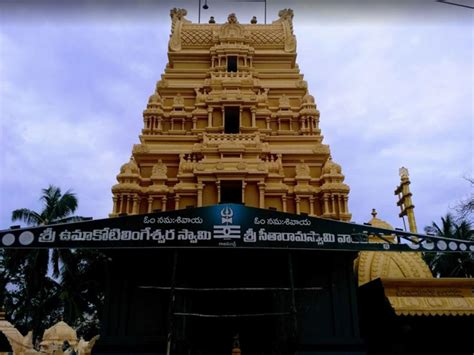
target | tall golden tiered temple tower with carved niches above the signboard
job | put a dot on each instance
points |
(231, 120)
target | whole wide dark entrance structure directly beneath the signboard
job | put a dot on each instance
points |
(197, 301)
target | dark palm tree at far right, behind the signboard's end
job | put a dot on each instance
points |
(451, 264)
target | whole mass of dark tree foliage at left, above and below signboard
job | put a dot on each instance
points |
(41, 286)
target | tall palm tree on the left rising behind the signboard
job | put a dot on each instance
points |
(30, 267)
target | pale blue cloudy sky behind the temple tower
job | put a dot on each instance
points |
(393, 83)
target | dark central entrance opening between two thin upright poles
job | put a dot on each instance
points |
(227, 297)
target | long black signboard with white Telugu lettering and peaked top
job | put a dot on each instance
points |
(224, 226)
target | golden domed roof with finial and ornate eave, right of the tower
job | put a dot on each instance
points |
(408, 284)
